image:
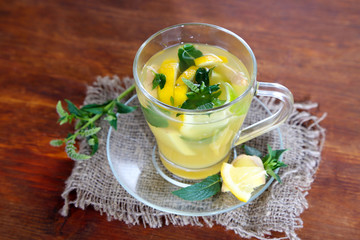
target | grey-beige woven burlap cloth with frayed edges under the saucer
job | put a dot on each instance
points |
(277, 209)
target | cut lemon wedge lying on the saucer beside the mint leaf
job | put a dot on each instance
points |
(241, 181)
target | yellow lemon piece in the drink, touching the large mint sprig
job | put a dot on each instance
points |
(181, 89)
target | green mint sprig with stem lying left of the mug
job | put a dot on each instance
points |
(86, 118)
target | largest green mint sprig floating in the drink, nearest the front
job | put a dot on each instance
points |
(201, 96)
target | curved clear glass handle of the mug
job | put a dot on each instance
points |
(279, 92)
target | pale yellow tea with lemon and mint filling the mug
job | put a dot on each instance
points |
(195, 77)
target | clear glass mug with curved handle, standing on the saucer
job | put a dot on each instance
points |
(193, 144)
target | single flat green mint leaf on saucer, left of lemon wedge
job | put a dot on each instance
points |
(202, 190)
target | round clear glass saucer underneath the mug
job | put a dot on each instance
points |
(132, 156)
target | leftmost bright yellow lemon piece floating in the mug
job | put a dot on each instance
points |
(169, 68)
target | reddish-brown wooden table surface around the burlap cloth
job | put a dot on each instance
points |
(51, 50)
